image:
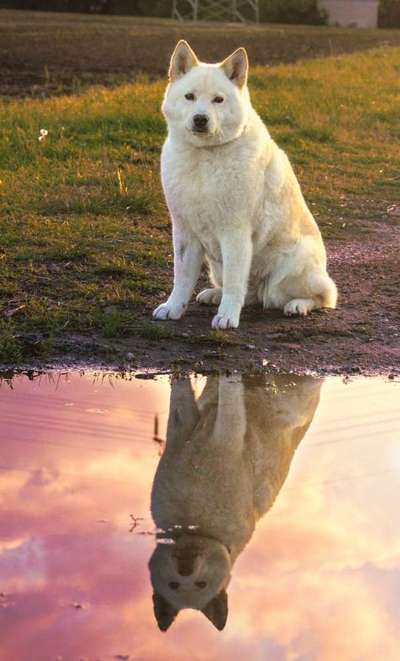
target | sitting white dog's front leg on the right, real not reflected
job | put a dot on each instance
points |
(236, 261)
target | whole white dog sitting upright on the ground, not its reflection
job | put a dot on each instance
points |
(234, 200)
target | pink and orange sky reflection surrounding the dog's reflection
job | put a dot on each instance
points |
(319, 579)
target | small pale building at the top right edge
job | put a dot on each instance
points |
(352, 13)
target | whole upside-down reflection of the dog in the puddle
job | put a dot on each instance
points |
(226, 458)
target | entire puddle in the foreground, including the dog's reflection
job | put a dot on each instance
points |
(276, 502)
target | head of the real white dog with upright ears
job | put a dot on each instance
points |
(206, 104)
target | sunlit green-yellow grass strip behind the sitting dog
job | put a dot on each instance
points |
(85, 240)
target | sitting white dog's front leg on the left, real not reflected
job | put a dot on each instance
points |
(188, 257)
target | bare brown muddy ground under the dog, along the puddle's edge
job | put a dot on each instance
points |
(362, 336)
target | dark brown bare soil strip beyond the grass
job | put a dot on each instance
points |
(44, 53)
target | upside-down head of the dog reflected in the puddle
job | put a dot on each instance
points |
(190, 572)
